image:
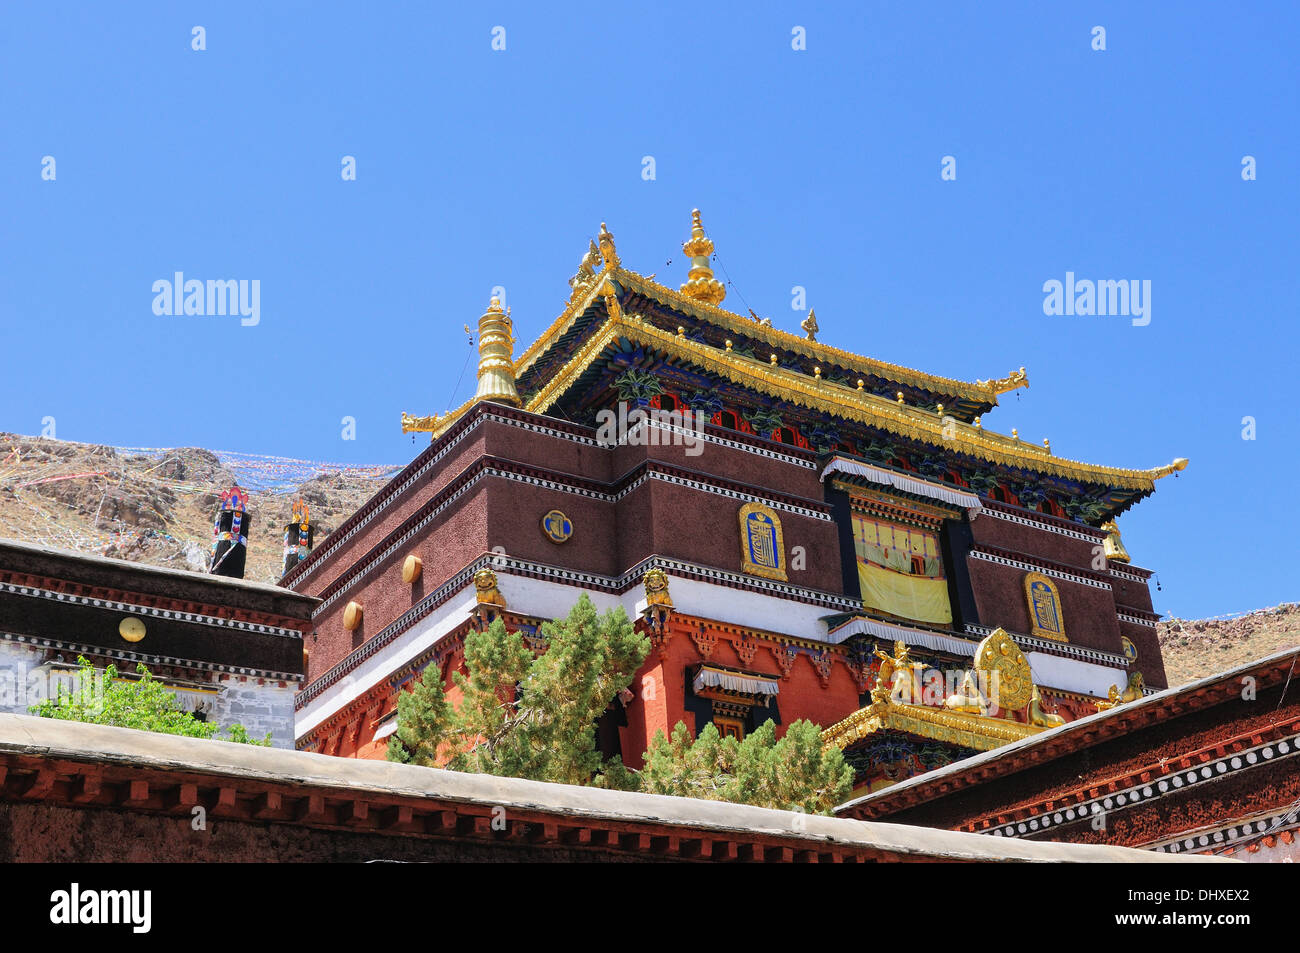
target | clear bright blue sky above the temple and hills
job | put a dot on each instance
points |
(820, 168)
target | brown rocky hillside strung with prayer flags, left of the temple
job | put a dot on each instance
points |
(158, 506)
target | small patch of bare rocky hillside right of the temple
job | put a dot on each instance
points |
(1194, 649)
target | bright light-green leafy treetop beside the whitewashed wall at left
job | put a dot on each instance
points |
(145, 704)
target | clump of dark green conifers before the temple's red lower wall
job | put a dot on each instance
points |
(526, 714)
